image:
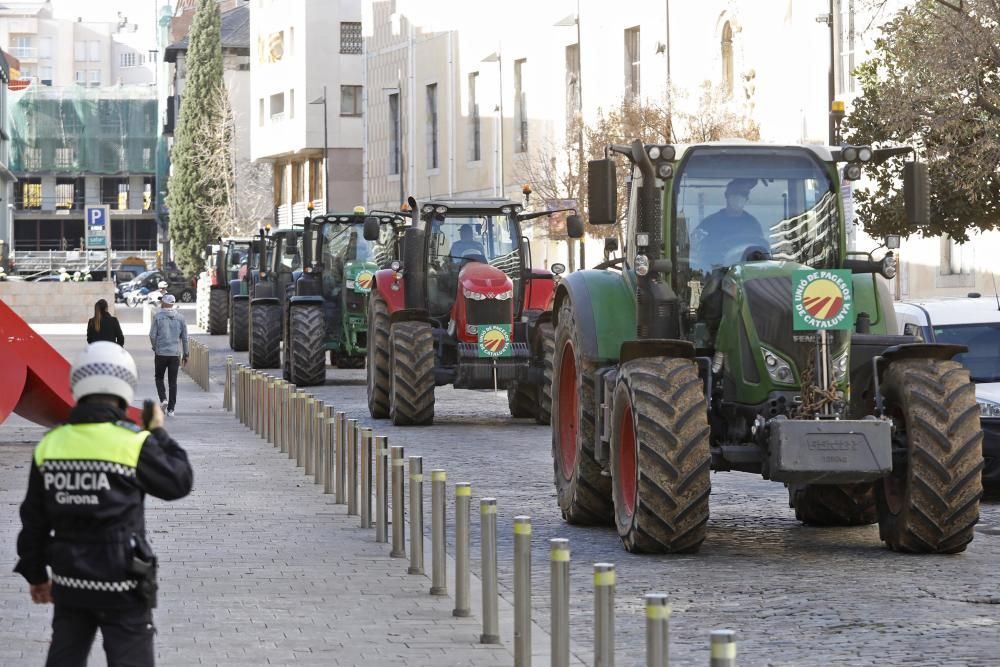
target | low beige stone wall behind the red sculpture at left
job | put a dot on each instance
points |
(55, 302)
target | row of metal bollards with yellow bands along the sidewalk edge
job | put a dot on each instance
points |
(348, 461)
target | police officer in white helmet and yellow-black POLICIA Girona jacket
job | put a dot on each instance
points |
(83, 514)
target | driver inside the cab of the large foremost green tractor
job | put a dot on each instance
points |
(730, 229)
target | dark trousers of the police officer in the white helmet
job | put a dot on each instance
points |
(127, 632)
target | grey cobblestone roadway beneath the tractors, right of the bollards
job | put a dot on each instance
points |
(795, 595)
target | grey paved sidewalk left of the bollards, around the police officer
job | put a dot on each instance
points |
(257, 565)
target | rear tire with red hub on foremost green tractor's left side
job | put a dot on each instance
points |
(584, 493)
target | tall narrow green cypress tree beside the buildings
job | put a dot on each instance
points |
(195, 187)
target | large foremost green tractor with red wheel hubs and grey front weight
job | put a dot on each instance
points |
(744, 336)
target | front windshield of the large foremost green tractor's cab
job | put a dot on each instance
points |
(736, 205)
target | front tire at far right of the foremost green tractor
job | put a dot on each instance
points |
(930, 504)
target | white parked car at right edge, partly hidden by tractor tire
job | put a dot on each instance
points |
(973, 321)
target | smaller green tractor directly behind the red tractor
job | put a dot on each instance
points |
(326, 308)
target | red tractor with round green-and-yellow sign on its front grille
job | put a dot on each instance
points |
(464, 307)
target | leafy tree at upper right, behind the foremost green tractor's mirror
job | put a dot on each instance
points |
(933, 82)
